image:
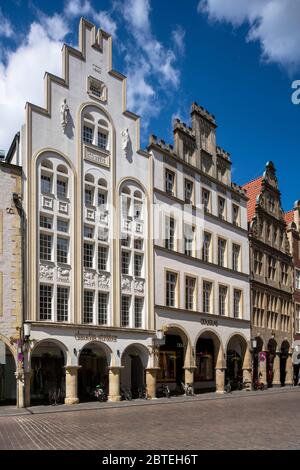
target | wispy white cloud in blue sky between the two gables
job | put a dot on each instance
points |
(150, 65)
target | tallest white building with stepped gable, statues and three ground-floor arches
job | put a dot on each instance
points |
(89, 263)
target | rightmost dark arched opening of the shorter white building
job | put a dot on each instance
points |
(236, 349)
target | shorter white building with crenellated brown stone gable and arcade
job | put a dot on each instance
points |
(201, 259)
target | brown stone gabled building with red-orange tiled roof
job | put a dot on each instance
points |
(271, 273)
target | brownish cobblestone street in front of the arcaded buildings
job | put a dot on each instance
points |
(257, 421)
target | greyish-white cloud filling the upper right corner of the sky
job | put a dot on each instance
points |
(274, 23)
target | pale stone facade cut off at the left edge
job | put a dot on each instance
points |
(10, 281)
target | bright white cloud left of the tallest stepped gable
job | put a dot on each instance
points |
(21, 78)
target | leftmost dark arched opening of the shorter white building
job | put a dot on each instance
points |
(172, 359)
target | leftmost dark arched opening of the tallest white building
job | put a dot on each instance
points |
(47, 373)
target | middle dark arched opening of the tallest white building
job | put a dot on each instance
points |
(93, 362)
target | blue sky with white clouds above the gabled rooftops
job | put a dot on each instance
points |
(235, 59)
